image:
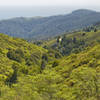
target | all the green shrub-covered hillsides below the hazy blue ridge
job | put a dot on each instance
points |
(64, 68)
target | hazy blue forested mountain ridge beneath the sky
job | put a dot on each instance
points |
(44, 27)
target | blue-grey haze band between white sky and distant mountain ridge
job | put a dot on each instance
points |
(28, 12)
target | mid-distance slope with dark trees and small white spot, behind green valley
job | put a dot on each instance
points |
(73, 42)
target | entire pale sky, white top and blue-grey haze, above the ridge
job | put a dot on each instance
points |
(30, 8)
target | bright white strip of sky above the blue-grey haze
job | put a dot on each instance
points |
(48, 2)
